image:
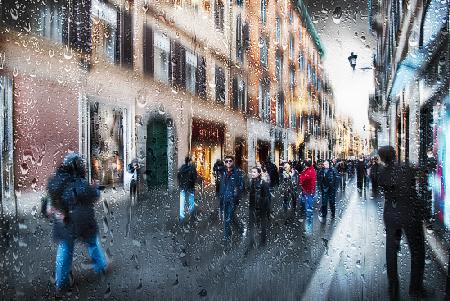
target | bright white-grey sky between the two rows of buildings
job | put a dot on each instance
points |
(351, 88)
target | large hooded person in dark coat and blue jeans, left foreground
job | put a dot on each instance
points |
(73, 217)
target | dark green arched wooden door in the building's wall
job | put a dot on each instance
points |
(156, 169)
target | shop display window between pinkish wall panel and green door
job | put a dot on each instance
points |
(107, 144)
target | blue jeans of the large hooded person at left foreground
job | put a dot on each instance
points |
(64, 255)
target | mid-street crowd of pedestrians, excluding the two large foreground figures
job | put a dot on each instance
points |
(298, 183)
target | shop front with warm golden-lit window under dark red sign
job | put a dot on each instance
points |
(207, 146)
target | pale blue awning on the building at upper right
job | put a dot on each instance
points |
(436, 18)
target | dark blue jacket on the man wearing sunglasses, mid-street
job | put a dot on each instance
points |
(231, 185)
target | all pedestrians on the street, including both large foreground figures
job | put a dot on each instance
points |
(70, 204)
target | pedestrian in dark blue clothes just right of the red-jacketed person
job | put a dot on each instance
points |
(327, 182)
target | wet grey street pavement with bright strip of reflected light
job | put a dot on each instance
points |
(156, 259)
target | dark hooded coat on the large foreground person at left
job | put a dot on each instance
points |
(75, 198)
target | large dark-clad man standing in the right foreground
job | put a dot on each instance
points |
(403, 212)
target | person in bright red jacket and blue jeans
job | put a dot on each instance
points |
(308, 183)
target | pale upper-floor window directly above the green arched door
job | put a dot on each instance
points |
(161, 55)
